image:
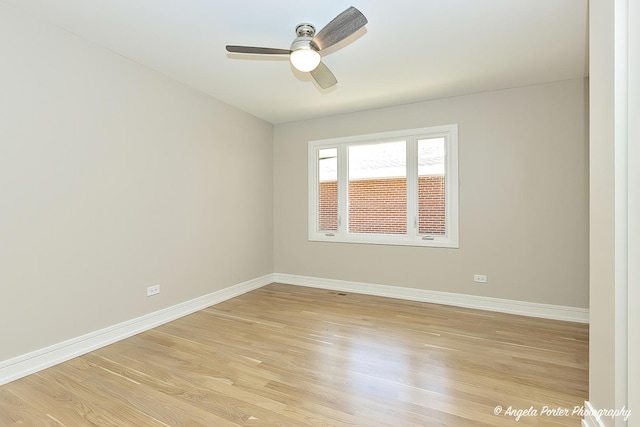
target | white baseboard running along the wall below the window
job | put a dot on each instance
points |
(547, 311)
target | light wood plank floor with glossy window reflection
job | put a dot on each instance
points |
(294, 356)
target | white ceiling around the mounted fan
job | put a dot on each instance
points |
(411, 50)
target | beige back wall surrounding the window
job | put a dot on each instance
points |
(523, 161)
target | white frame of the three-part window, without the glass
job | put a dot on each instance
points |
(412, 238)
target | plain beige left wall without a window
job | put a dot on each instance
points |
(114, 178)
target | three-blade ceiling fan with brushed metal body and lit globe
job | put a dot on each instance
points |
(305, 51)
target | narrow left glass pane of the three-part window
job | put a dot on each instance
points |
(328, 189)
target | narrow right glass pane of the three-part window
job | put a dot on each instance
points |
(431, 186)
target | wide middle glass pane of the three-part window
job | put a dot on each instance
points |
(378, 188)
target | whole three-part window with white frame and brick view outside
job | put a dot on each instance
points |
(397, 188)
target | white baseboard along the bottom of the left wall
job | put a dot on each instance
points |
(26, 364)
